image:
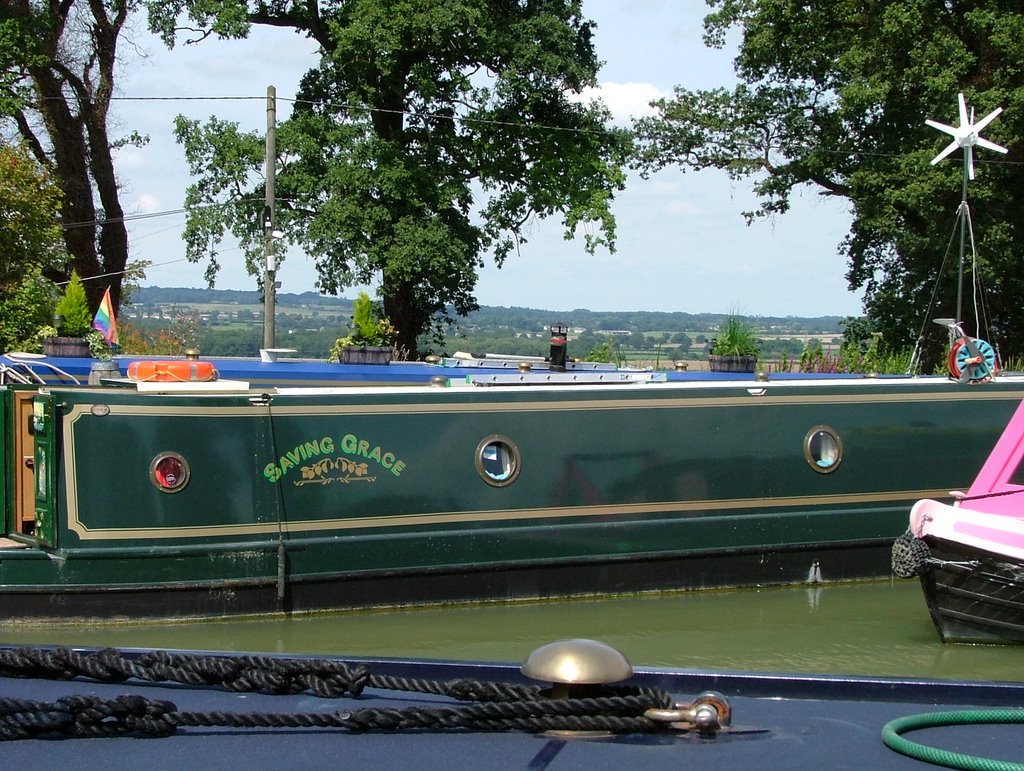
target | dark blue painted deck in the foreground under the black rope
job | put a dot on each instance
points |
(779, 721)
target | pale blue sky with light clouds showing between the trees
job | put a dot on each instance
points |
(682, 242)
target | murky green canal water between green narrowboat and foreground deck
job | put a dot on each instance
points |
(870, 629)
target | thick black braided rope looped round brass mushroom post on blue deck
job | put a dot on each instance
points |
(501, 707)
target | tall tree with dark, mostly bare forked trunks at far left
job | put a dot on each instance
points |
(57, 79)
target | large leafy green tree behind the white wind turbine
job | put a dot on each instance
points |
(834, 96)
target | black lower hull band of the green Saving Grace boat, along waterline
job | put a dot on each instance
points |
(518, 581)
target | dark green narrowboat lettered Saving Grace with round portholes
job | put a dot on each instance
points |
(211, 499)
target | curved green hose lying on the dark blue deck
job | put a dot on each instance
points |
(891, 736)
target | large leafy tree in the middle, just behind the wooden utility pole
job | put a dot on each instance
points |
(431, 134)
